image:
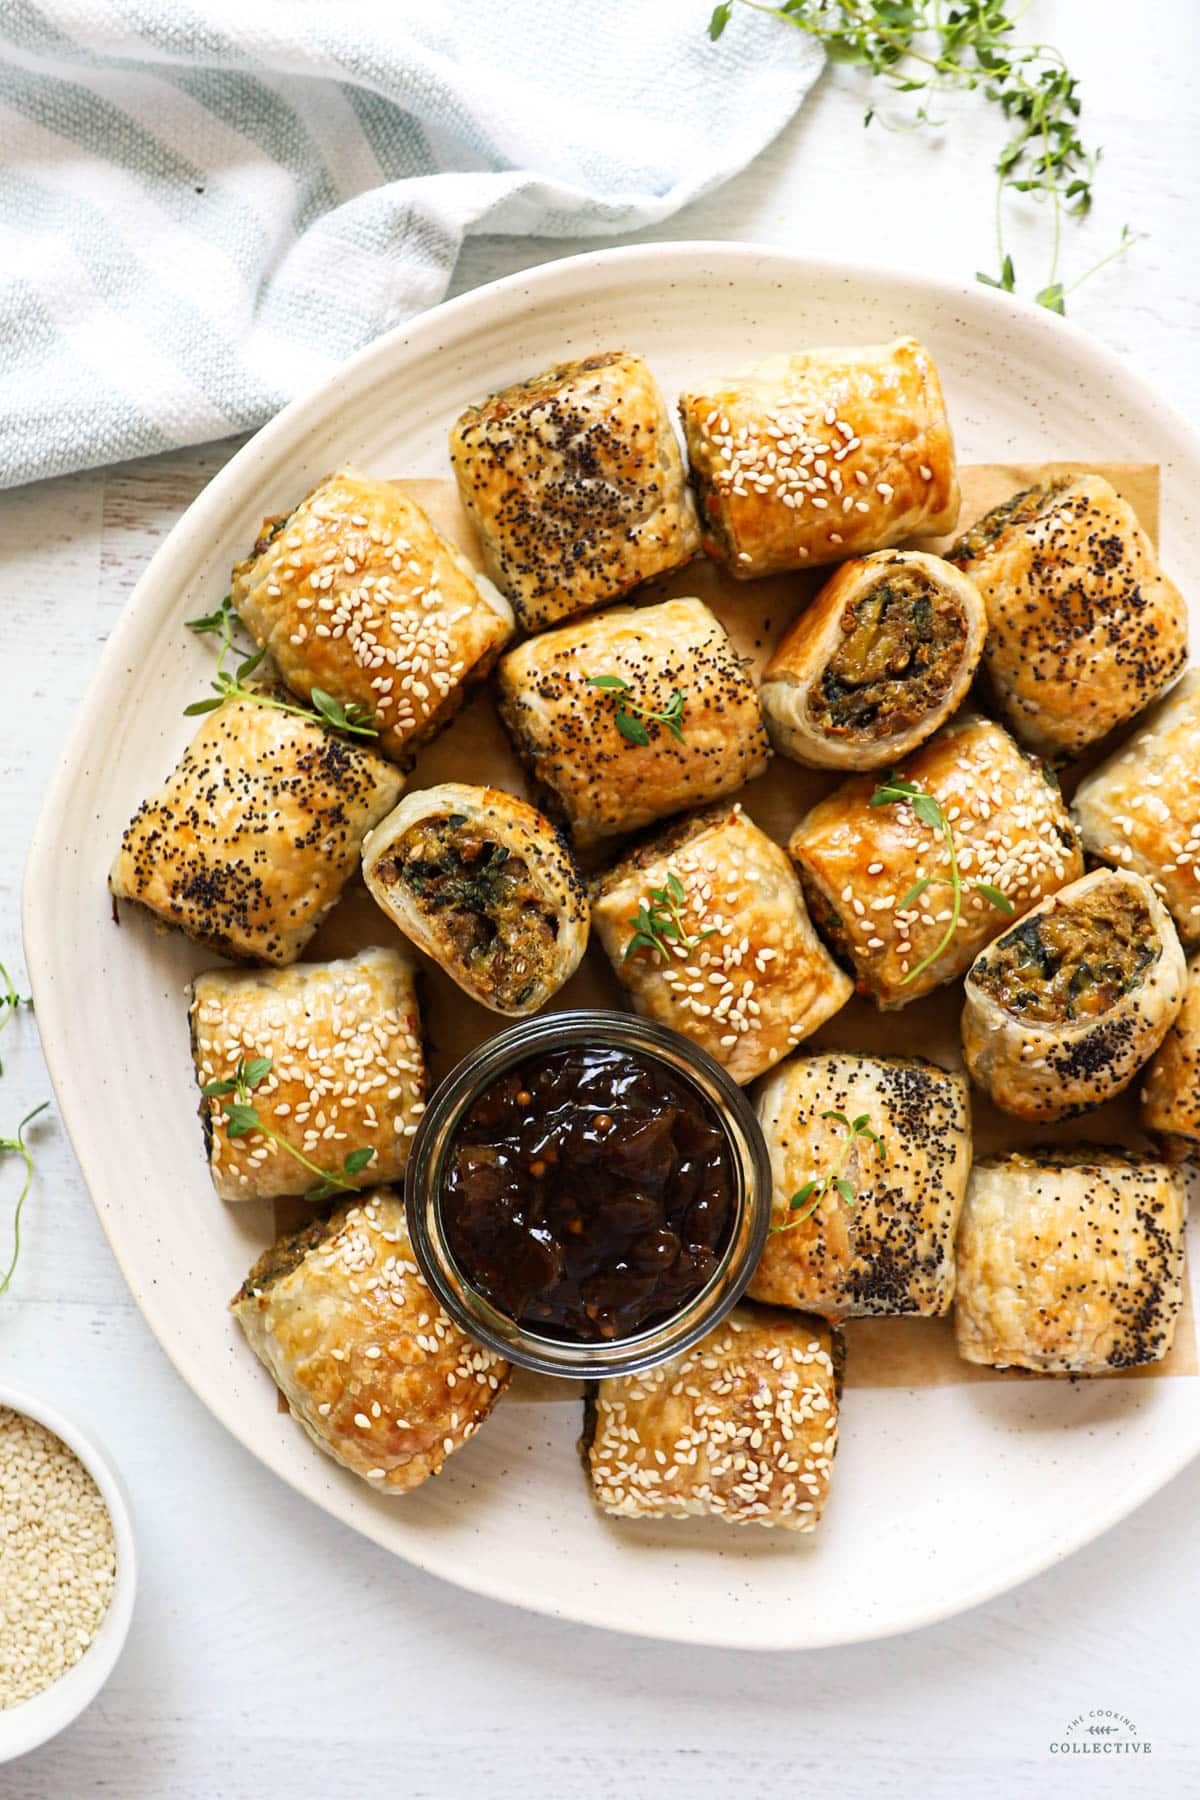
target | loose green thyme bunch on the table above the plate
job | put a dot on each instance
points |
(929, 48)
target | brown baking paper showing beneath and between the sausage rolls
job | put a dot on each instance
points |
(882, 1353)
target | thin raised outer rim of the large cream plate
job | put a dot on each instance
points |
(571, 274)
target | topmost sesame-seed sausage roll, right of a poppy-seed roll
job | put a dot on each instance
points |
(827, 454)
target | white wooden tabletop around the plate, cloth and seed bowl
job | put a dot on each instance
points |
(276, 1655)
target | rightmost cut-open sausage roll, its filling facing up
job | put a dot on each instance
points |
(1064, 1009)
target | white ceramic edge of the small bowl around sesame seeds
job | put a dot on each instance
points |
(40, 1718)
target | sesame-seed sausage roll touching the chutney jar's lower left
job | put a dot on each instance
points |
(381, 1378)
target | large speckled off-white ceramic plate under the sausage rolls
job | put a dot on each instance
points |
(944, 1497)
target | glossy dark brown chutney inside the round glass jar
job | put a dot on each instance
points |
(589, 1192)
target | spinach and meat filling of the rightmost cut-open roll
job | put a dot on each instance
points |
(1075, 962)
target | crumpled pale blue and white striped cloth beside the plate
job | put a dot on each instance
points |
(204, 208)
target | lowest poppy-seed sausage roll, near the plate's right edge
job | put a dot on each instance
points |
(1071, 1261)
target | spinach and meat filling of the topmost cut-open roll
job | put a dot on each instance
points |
(900, 649)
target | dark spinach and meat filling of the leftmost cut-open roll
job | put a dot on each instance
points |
(483, 899)
